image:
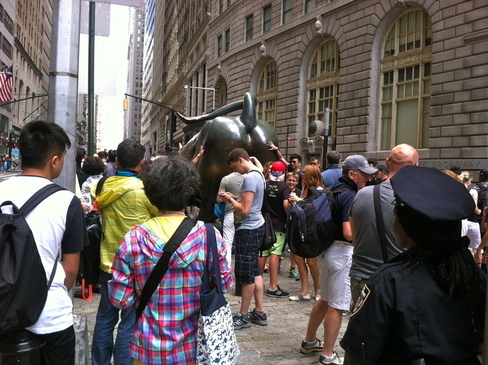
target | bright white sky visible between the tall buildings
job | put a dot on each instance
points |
(110, 70)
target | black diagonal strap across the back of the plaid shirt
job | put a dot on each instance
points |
(162, 266)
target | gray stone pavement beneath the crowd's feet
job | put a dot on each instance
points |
(276, 343)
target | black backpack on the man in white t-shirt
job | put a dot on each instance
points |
(23, 284)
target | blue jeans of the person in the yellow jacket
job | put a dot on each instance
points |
(103, 336)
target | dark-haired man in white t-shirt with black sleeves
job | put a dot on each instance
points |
(58, 226)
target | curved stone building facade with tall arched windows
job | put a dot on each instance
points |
(389, 72)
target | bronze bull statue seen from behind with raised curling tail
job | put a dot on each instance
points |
(219, 136)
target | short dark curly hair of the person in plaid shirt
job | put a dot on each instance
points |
(170, 182)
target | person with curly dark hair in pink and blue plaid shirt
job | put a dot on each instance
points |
(166, 332)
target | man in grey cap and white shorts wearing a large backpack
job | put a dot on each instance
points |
(335, 263)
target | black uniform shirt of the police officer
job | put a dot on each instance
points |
(405, 316)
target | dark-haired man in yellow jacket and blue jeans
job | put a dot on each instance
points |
(123, 204)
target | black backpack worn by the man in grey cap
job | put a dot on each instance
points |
(310, 229)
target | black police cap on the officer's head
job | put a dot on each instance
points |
(432, 193)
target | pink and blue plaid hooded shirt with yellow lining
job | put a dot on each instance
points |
(166, 332)
